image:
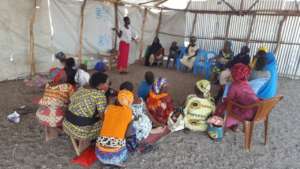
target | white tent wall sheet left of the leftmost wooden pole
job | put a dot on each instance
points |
(14, 19)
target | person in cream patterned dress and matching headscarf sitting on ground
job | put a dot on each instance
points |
(198, 107)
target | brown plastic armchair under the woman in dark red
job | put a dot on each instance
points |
(262, 115)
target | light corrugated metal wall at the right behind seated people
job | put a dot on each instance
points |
(265, 28)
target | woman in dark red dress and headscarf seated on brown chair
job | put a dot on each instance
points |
(239, 92)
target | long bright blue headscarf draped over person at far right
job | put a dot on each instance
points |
(269, 90)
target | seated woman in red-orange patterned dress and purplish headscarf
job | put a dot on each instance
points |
(159, 103)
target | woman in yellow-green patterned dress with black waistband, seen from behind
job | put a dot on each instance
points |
(85, 113)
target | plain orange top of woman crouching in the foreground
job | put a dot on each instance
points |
(116, 120)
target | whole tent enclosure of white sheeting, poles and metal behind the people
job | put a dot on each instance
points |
(33, 31)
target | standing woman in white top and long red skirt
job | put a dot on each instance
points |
(126, 35)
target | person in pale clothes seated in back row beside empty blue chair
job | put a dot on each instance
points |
(189, 59)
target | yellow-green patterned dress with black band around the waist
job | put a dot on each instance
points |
(85, 103)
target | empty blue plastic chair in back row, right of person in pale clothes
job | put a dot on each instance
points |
(206, 65)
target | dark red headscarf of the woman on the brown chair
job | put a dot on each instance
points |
(240, 72)
